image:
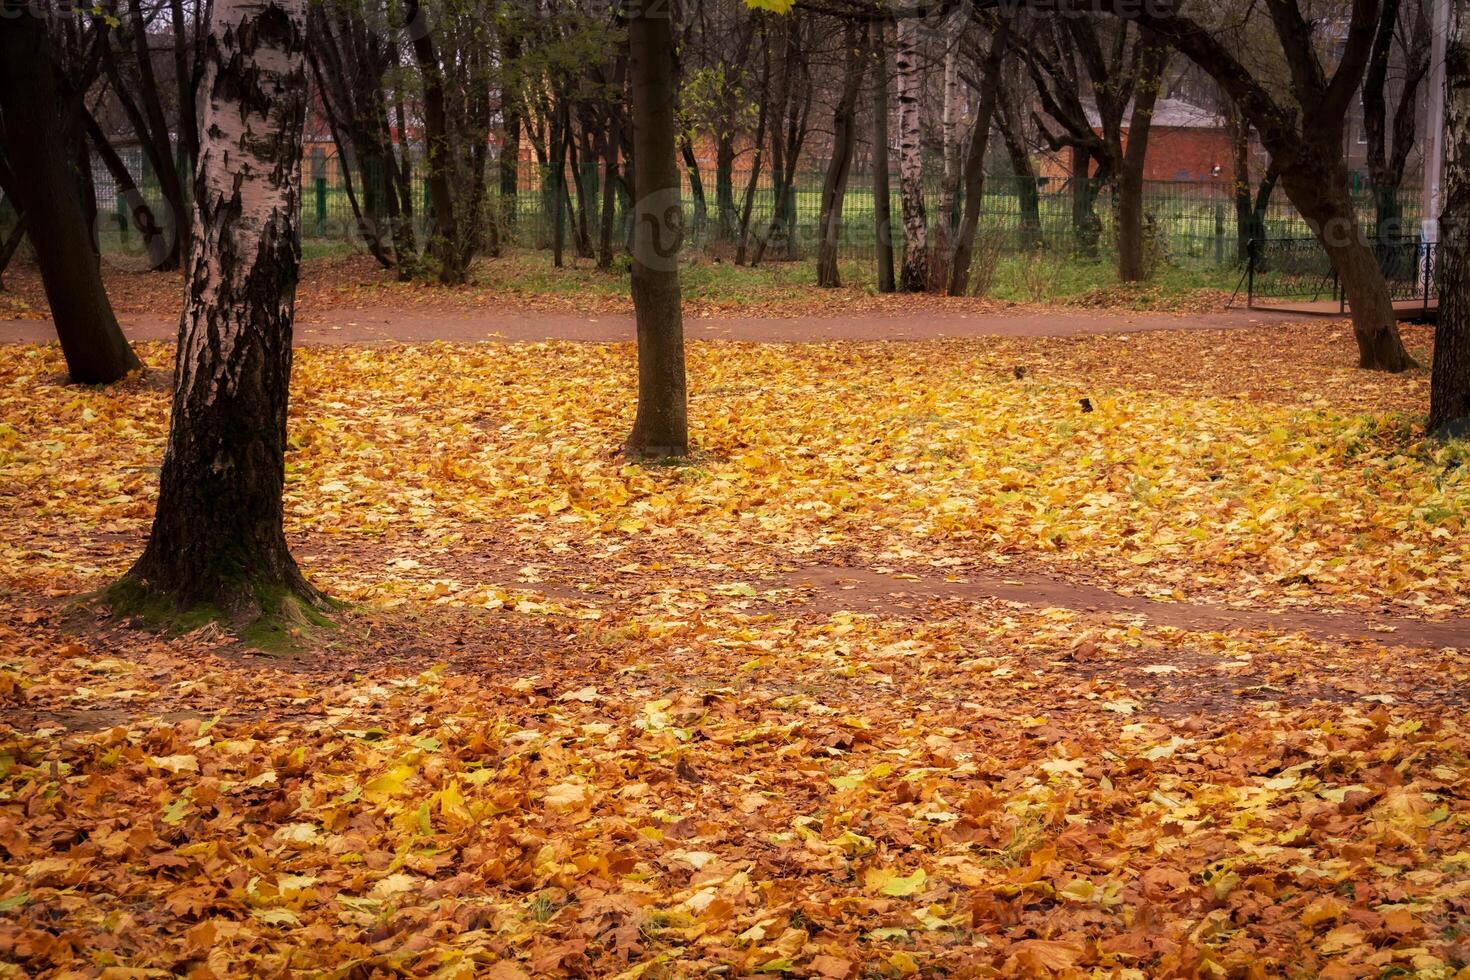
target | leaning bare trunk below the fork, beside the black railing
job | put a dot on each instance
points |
(1321, 193)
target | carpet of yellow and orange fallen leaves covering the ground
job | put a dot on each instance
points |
(599, 719)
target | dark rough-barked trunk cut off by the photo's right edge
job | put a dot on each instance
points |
(1450, 386)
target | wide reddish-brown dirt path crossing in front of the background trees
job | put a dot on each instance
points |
(387, 325)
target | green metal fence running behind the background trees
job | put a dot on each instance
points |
(1193, 224)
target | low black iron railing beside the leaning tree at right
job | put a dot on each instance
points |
(1300, 271)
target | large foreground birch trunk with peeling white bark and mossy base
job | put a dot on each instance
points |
(218, 543)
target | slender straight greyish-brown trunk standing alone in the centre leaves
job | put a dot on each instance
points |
(661, 428)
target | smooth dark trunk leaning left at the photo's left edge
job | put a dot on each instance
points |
(95, 349)
